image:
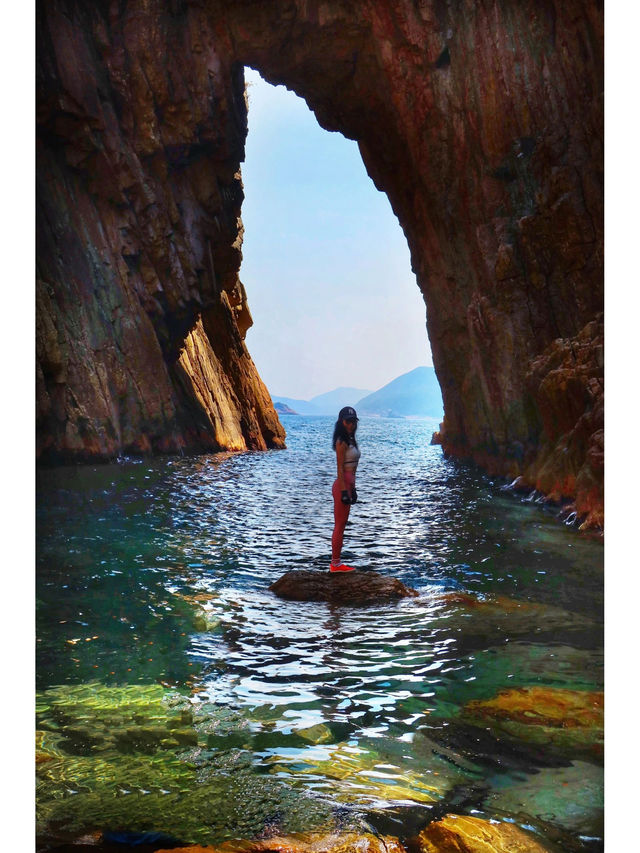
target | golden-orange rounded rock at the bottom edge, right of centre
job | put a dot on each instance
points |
(462, 834)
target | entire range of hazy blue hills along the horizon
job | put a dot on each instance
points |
(414, 394)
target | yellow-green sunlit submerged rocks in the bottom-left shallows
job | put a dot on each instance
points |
(114, 757)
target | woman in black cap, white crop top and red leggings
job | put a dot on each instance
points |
(344, 487)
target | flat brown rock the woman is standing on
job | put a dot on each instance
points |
(344, 587)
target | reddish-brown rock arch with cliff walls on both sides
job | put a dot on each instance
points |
(482, 121)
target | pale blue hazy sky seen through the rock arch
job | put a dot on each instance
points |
(326, 265)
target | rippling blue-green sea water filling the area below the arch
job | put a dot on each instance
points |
(173, 685)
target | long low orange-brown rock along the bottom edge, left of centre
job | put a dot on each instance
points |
(304, 843)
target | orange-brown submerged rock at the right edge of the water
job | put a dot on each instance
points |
(572, 721)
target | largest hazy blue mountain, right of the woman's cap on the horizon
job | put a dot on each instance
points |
(415, 393)
